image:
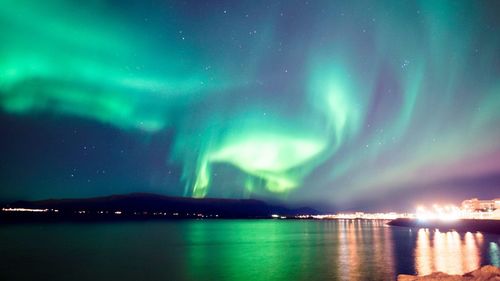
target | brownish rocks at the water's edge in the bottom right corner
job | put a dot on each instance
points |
(485, 273)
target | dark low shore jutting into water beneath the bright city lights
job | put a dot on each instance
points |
(463, 225)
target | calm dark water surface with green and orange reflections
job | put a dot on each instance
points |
(236, 250)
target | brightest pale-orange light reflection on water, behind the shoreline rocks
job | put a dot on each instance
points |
(448, 252)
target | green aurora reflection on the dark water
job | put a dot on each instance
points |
(256, 250)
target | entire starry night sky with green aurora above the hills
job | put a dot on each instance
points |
(357, 104)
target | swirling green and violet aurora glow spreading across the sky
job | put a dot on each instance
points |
(404, 84)
